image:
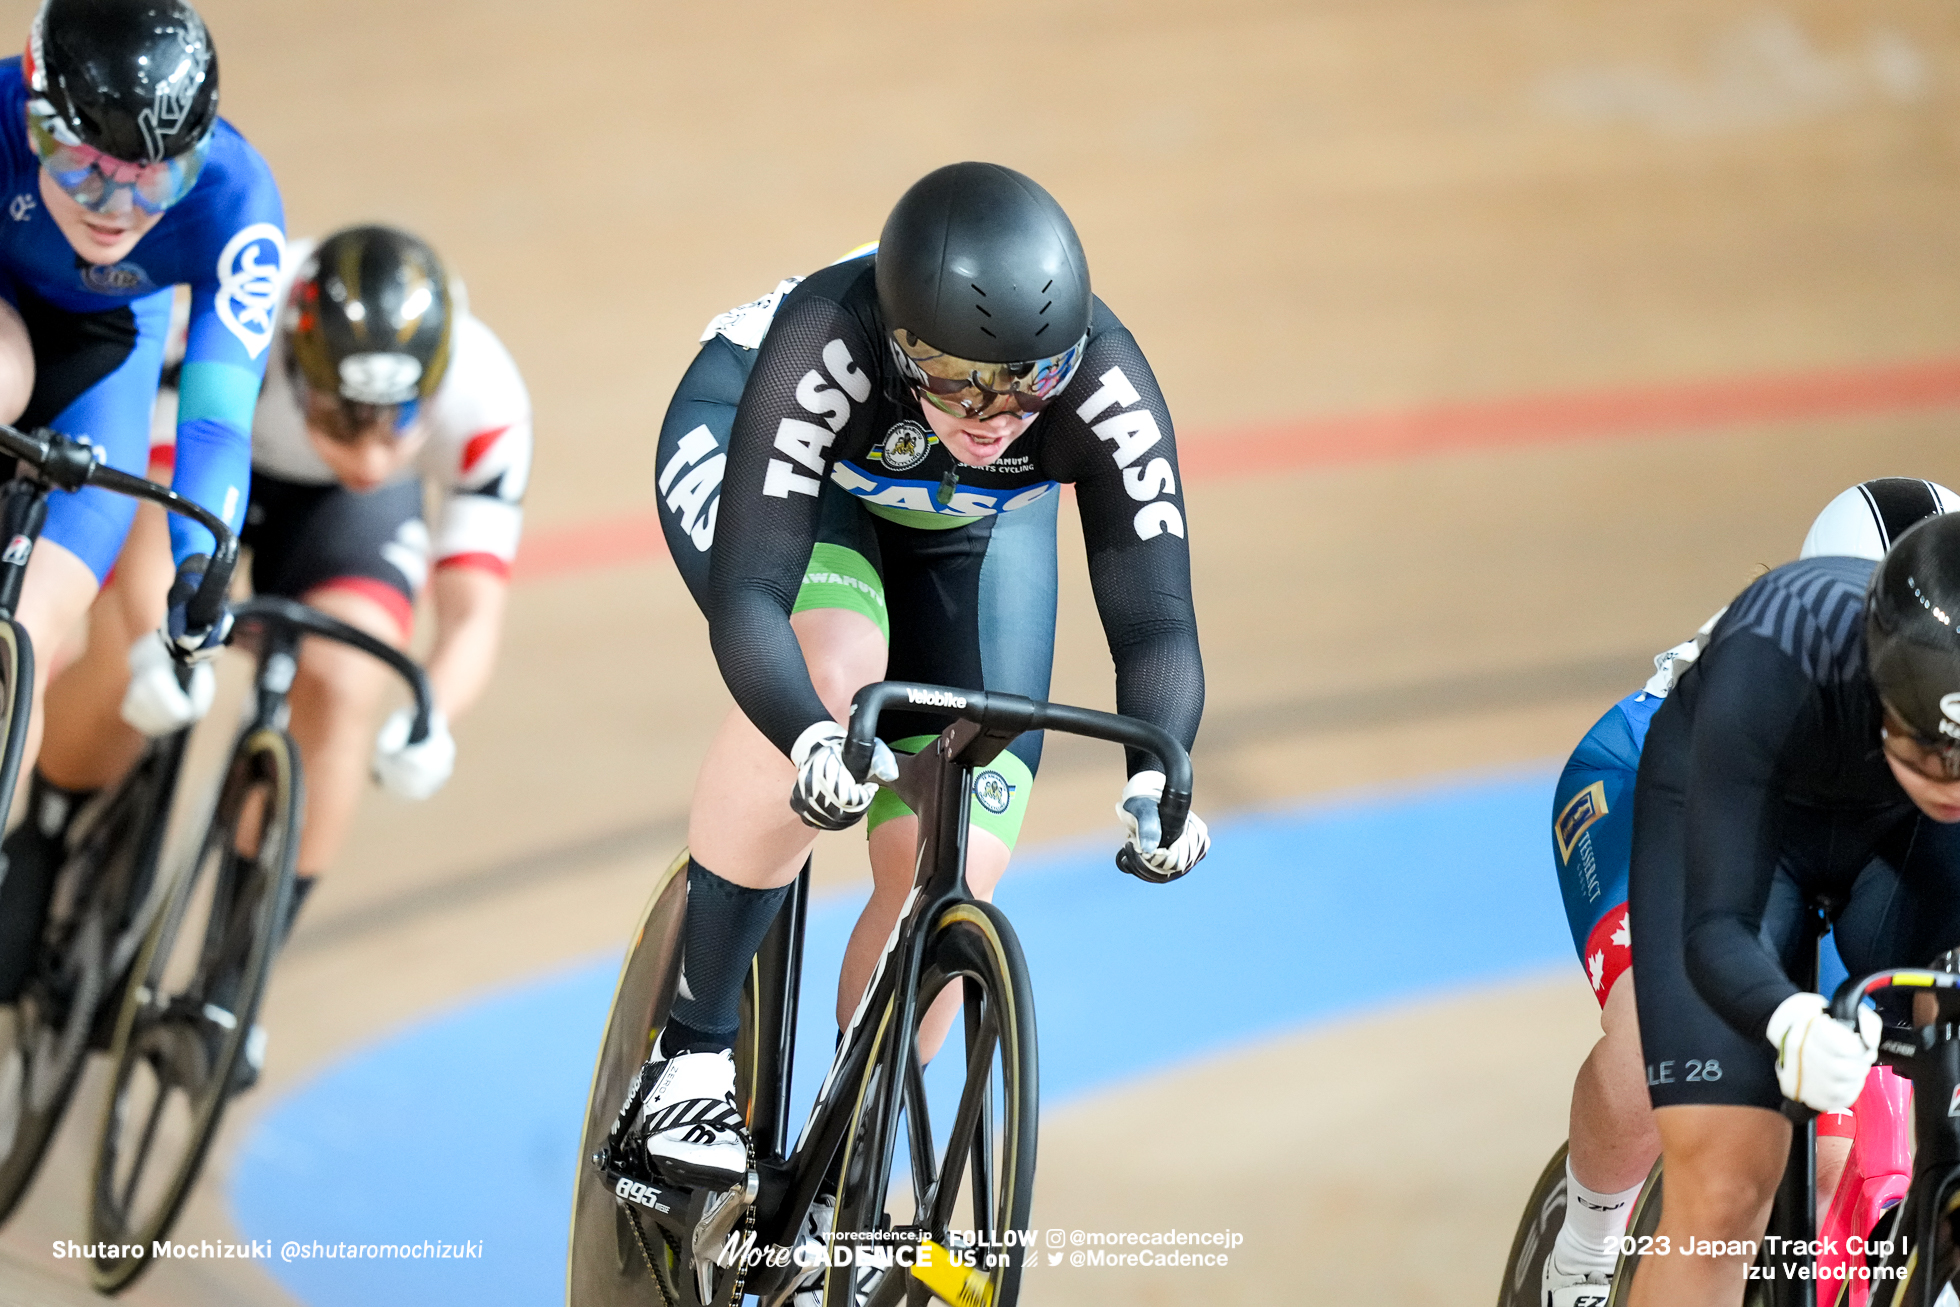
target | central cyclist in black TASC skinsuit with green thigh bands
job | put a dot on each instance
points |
(859, 479)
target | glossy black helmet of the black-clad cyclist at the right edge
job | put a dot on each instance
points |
(1910, 634)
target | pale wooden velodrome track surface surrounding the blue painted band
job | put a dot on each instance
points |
(1304, 211)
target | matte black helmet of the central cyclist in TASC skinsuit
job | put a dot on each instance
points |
(979, 262)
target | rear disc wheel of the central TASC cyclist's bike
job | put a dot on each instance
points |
(614, 1259)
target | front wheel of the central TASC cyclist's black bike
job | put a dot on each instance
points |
(987, 1167)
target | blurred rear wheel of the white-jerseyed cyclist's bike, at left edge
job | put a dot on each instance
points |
(97, 922)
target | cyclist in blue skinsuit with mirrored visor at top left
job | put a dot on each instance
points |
(119, 181)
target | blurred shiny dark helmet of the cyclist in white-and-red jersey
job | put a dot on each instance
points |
(371, 318)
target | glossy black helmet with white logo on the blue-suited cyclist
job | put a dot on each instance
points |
(134, 79)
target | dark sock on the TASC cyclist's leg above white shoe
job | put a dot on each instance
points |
(726, 926)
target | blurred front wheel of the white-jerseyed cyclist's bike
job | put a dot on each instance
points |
(193, 1002)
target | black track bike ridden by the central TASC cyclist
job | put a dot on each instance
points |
(871, 1208)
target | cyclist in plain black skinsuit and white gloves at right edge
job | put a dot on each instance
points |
(1812, 755)
